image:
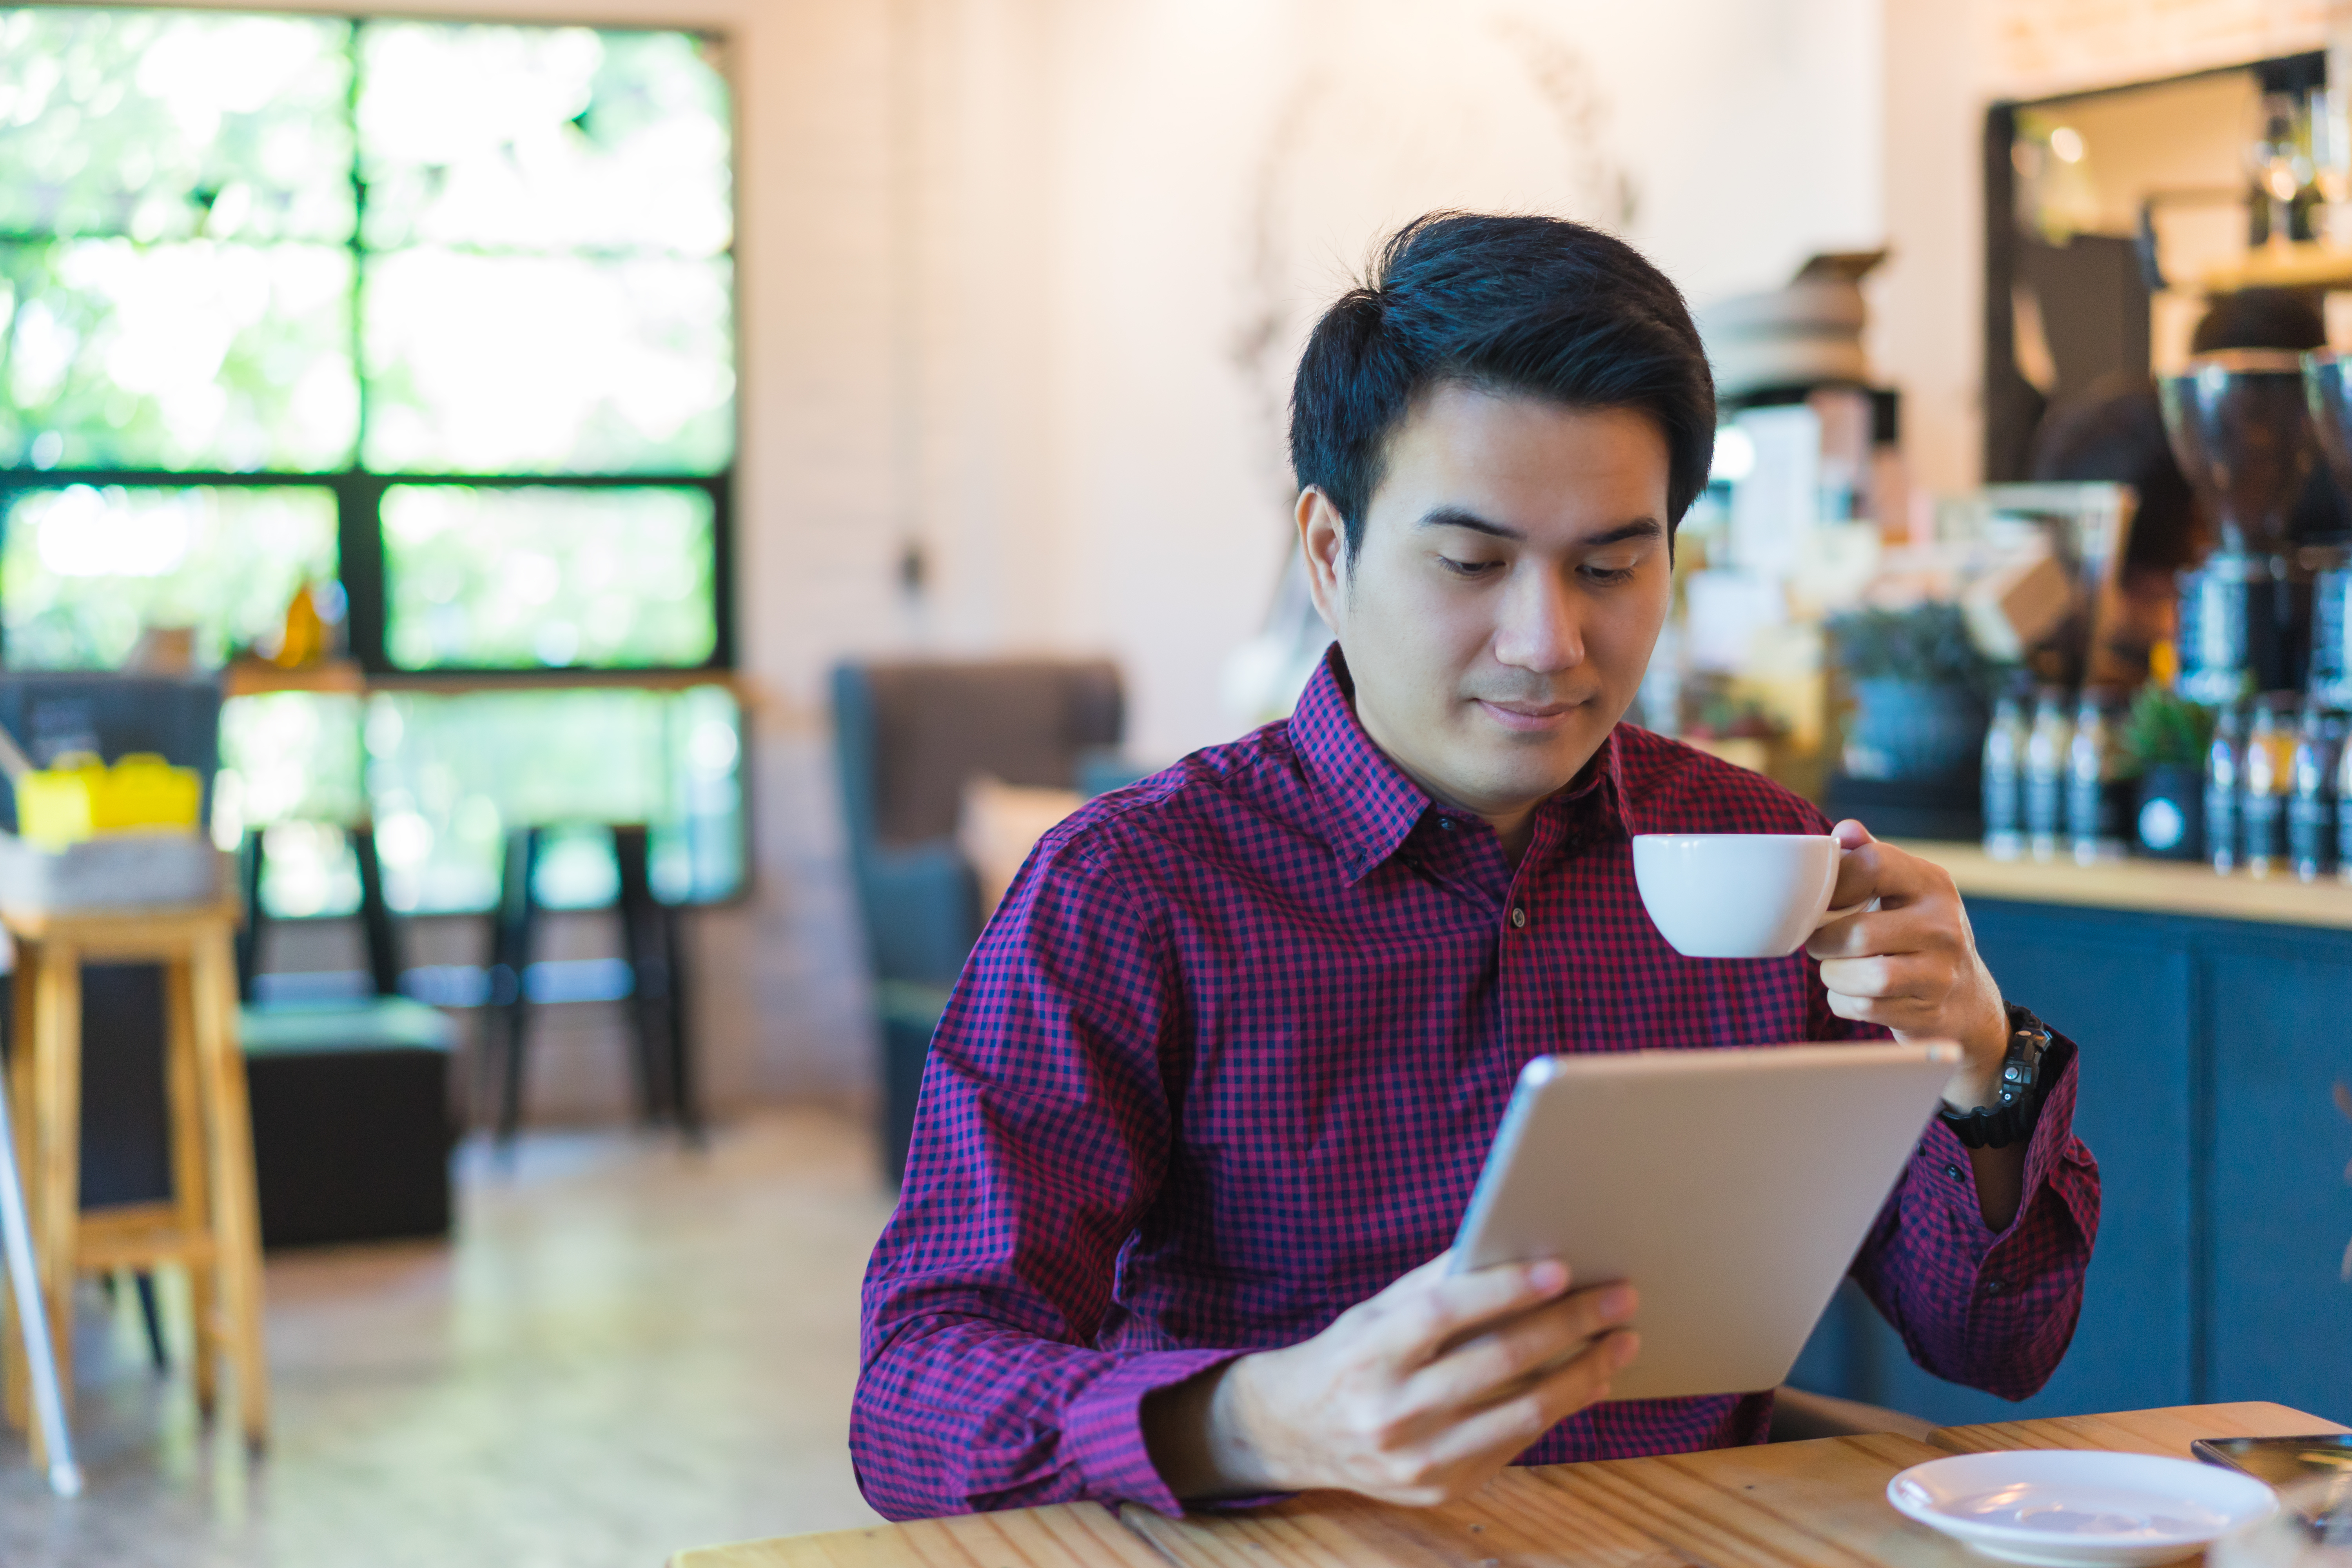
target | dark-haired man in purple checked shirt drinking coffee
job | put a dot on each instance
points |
(1217, 1083)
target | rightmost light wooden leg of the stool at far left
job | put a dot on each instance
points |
(234, 1205)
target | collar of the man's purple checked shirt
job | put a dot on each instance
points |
(1372, 805)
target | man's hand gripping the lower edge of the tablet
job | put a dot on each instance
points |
(1417, 1395)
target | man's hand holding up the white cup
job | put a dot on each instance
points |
(1906, 960)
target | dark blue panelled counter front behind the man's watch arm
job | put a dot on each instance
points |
(2210, 1054)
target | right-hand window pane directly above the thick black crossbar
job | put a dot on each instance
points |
(549, 366)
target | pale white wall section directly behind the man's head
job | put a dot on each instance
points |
(1194, 182)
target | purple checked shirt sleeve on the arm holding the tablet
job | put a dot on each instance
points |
(1041, 1139)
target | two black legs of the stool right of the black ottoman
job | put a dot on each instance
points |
(653, 946)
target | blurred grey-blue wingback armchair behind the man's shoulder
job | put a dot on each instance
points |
(907, 742)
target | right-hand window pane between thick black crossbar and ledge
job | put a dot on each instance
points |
(547, 577)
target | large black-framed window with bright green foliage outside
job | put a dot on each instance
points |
(432, 323)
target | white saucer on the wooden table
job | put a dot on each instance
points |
(2071, 1508)
